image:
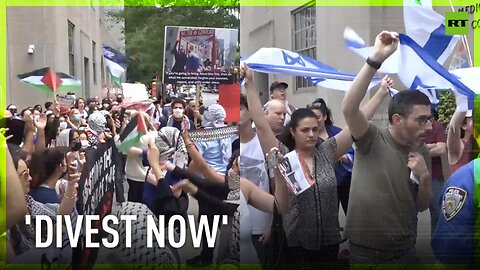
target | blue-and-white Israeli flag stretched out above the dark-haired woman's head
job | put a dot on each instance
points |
(284, 62)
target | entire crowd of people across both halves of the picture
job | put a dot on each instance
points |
(382, 176)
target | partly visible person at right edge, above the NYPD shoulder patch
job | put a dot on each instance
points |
(460, 148)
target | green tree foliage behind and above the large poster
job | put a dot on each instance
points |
(145, 29)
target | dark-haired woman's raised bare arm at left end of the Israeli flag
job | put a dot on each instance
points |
(264, 132)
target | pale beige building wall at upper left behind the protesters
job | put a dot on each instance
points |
(47, 29)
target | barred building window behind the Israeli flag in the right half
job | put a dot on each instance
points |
(304, 37)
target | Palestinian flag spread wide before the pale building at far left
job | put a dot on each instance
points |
(46, 79)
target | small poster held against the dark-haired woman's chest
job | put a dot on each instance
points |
(293, 172)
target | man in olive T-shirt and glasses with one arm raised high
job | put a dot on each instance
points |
(391, 178)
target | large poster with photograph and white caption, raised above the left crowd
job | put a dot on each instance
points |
(196, 55)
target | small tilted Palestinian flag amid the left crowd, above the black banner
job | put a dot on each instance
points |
(135, 129)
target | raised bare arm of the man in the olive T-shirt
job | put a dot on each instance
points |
(385, 44)
